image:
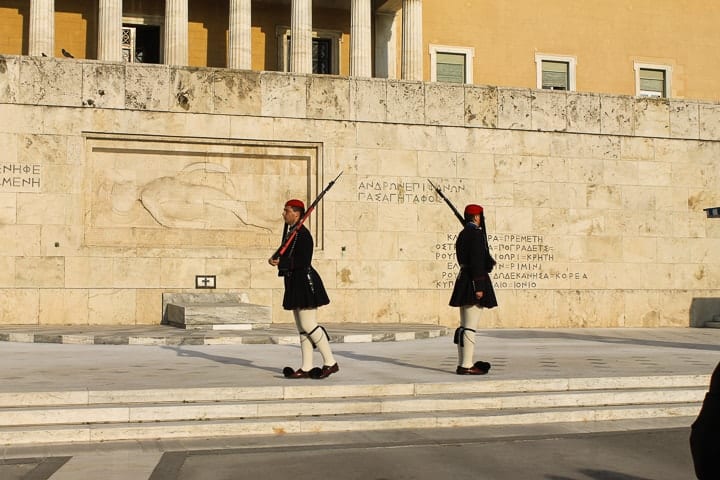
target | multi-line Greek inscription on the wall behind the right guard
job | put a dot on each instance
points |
(524, 261)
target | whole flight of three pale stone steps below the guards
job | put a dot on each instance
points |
(64, 417)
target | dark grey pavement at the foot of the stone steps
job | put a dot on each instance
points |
(651, 449)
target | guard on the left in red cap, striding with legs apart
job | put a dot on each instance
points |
(304, 293)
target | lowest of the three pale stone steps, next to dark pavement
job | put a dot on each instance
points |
(279, 426)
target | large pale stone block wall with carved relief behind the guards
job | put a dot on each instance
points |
(122, 182)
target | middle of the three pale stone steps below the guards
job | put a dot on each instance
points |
(13, 417)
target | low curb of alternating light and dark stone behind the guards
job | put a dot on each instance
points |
(212, 337)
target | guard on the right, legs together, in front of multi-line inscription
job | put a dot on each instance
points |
(473, 289)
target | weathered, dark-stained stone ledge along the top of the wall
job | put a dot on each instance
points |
(270, 94)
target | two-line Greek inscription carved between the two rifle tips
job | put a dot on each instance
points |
(383, 190)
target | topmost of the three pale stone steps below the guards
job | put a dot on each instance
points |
(311, 390)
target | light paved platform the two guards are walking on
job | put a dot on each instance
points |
(515, 354)
